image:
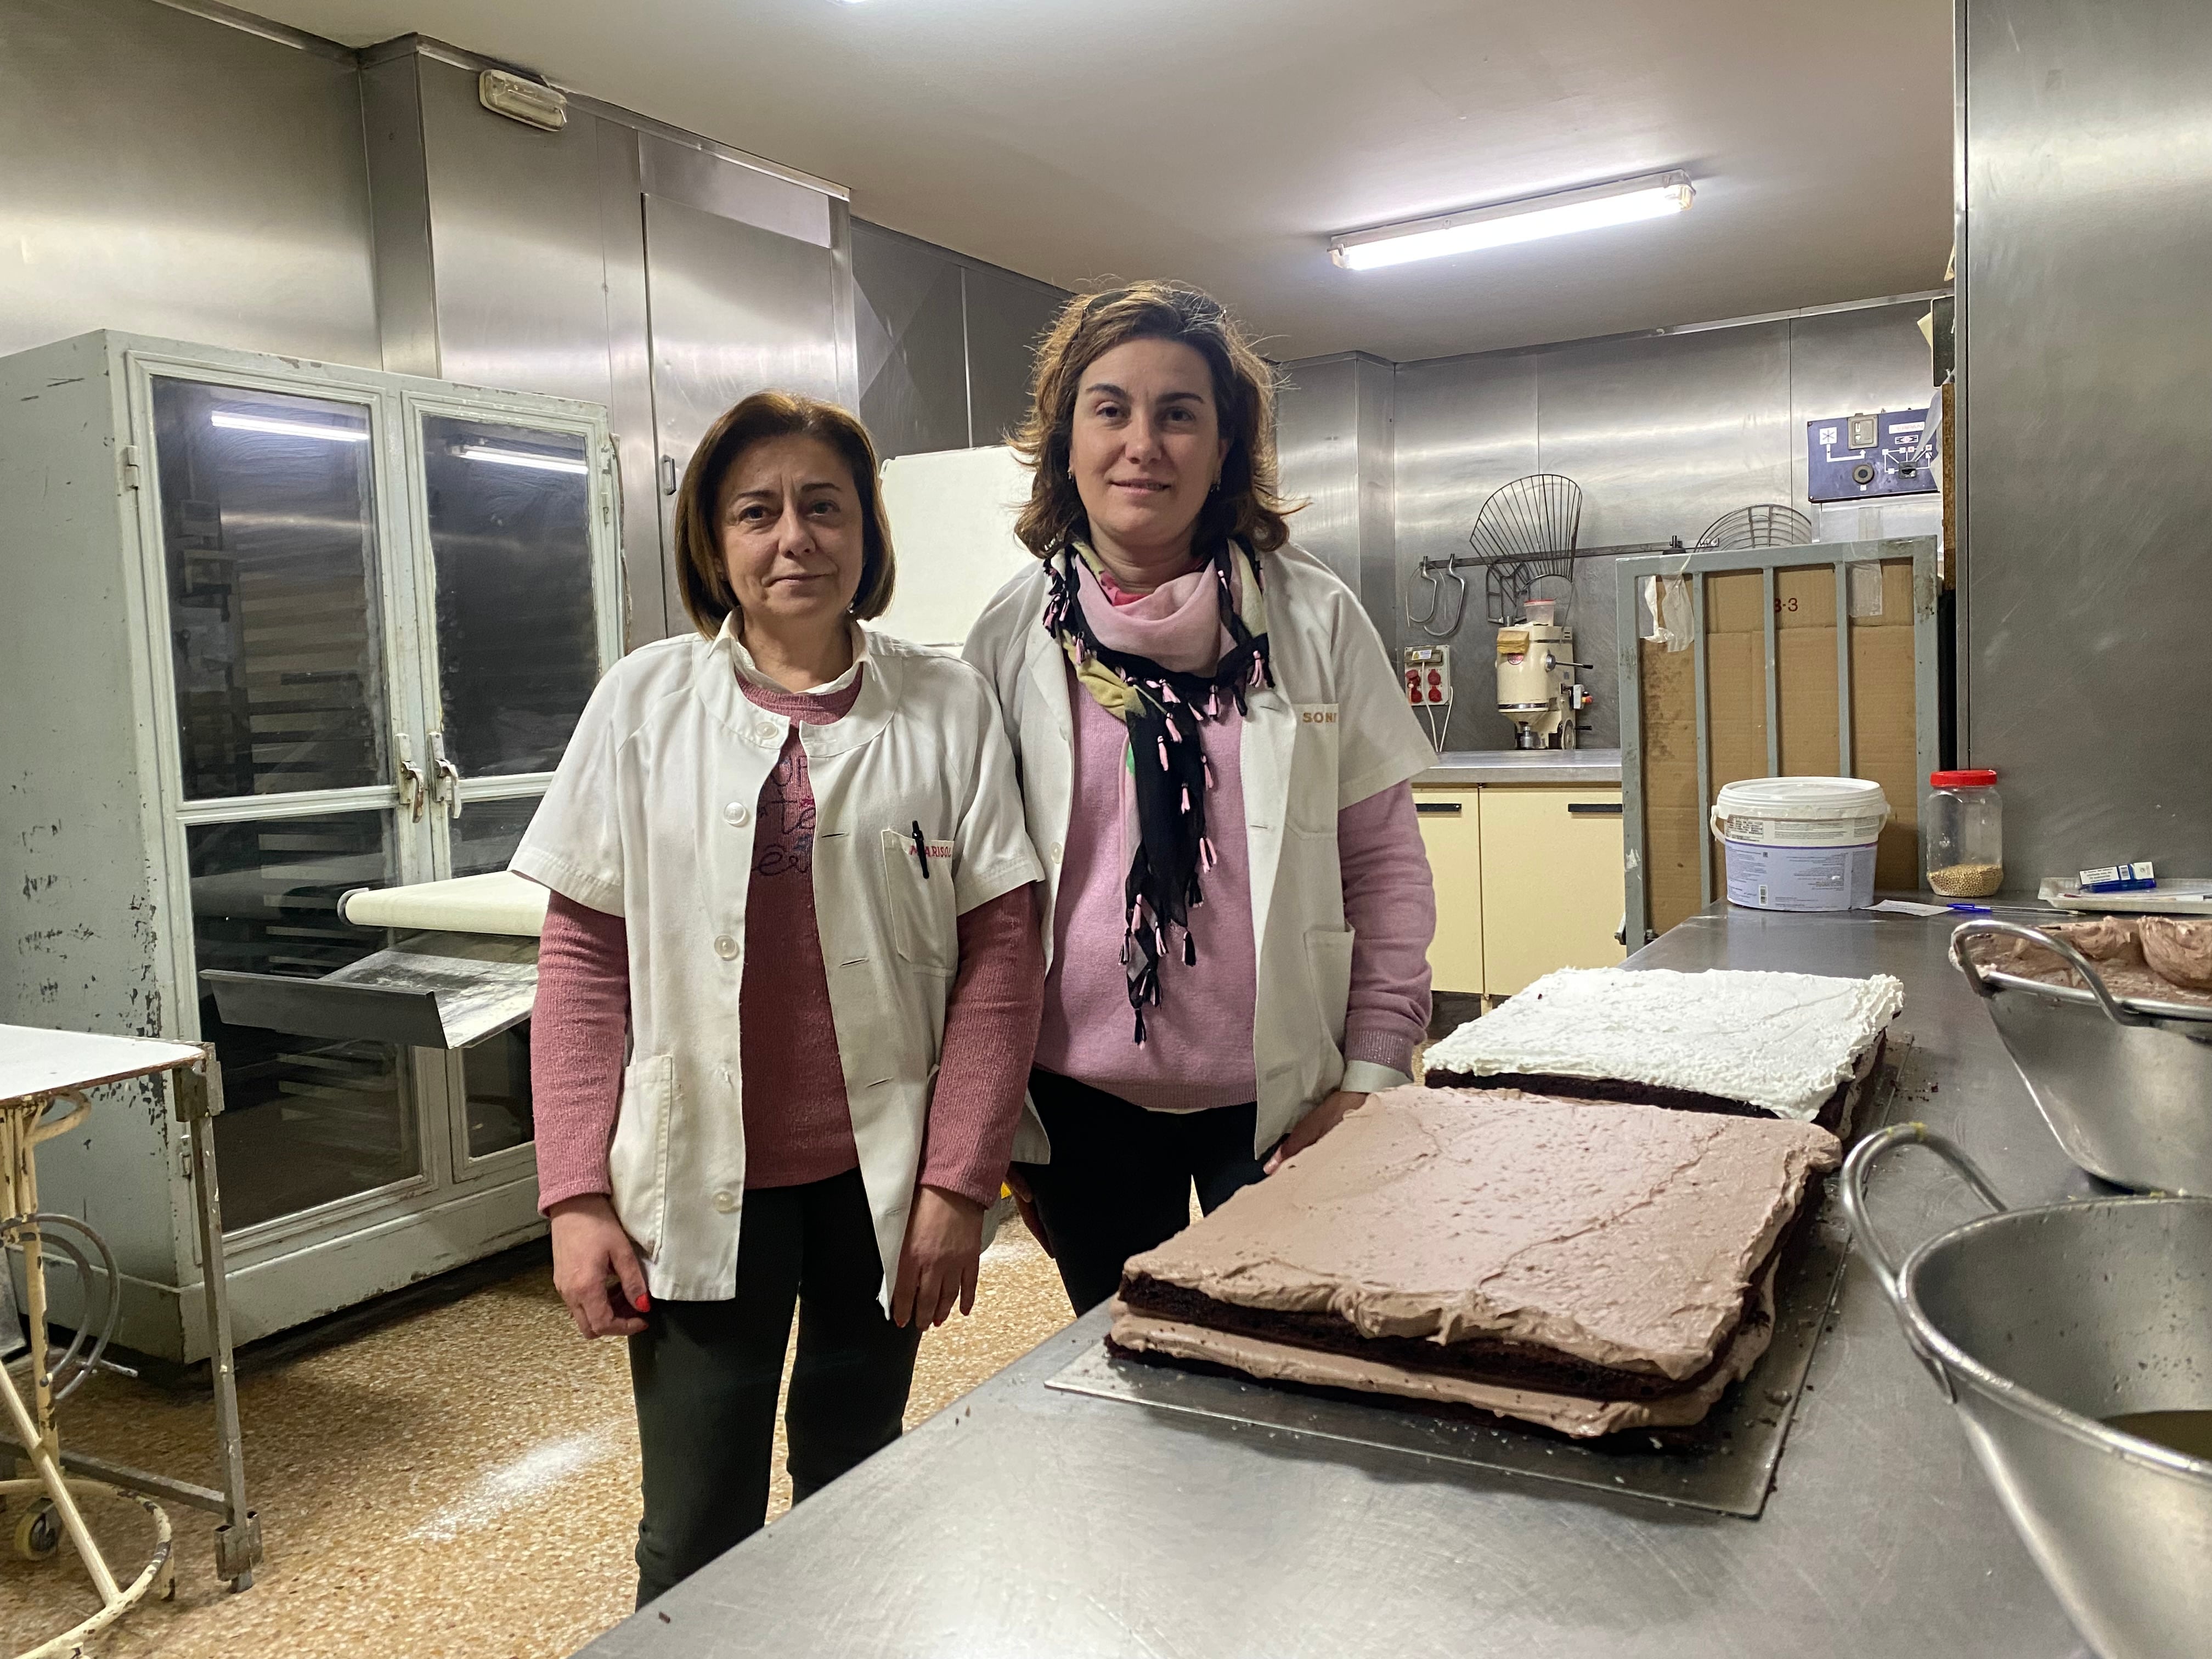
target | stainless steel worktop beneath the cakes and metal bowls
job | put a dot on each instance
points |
(1025, 1521)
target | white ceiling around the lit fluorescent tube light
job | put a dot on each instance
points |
(1224, 140)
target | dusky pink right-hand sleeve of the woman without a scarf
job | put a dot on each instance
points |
(990, 1041)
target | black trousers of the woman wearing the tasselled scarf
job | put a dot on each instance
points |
(1120, 1178)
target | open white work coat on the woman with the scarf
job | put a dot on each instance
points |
(1328, 733)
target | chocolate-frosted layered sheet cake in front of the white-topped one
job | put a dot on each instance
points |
(1587, 1266)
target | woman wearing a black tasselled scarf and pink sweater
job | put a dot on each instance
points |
(1215, 764)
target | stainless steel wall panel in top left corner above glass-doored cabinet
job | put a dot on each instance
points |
(174, 176)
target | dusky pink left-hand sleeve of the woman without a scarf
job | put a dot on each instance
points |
(578, 1039)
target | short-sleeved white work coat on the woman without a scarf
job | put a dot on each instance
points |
(651, 817)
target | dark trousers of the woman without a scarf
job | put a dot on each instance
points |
(707, 1377)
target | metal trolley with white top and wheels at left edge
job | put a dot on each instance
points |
(43, 1081)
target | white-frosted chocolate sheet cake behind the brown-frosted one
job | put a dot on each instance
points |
(1753, 1045)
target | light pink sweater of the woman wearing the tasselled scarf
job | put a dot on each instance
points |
(1198, 1050)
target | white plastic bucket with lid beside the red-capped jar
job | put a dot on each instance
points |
(1799, 844)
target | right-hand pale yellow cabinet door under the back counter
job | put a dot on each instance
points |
(1552, 884)
